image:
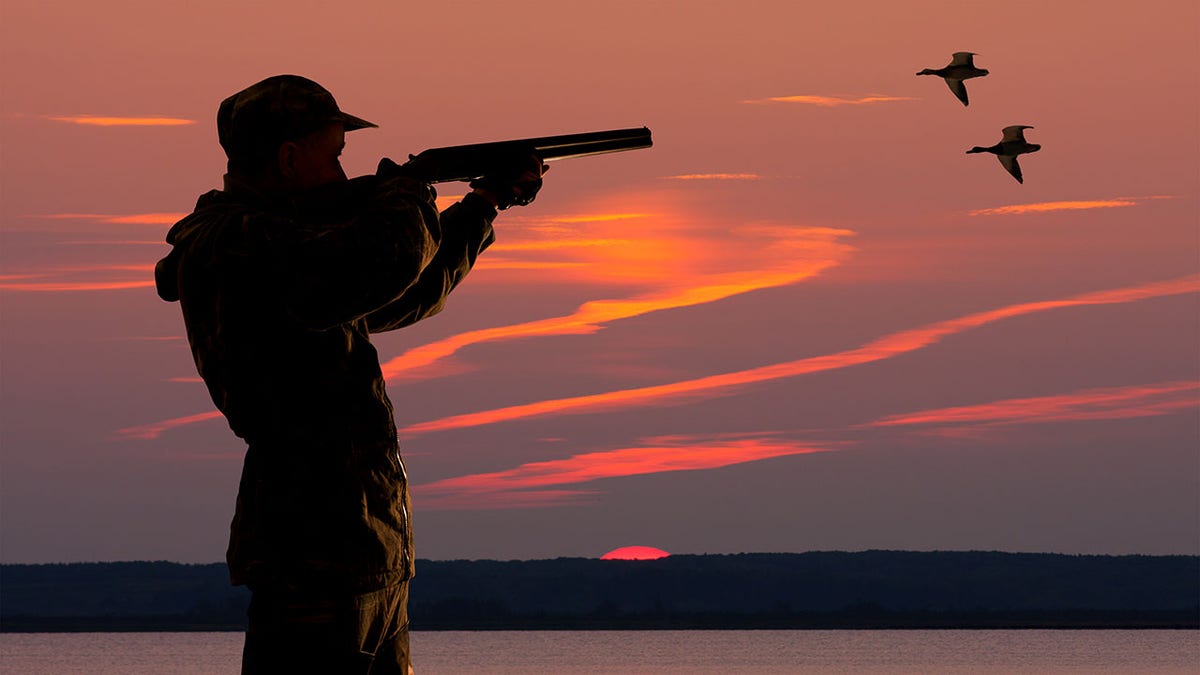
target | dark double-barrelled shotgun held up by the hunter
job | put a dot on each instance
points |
(469, 163)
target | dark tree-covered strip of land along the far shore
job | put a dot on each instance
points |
(814, 590)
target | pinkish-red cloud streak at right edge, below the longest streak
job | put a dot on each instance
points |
(1115, 403)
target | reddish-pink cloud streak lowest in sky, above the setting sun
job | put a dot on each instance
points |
(526, 486)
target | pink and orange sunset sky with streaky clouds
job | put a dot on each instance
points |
(805, 320)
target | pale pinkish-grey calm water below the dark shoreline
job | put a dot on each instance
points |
(673, 653)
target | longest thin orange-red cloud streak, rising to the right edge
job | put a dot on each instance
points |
(724, 385)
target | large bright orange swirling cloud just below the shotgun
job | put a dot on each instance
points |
(677, 256)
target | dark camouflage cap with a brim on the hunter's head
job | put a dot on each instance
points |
(254, 122)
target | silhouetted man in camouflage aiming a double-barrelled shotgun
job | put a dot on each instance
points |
(281, 278)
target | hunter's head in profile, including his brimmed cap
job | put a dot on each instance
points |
(286, 130)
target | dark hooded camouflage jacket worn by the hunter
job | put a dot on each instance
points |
(280, 297)
